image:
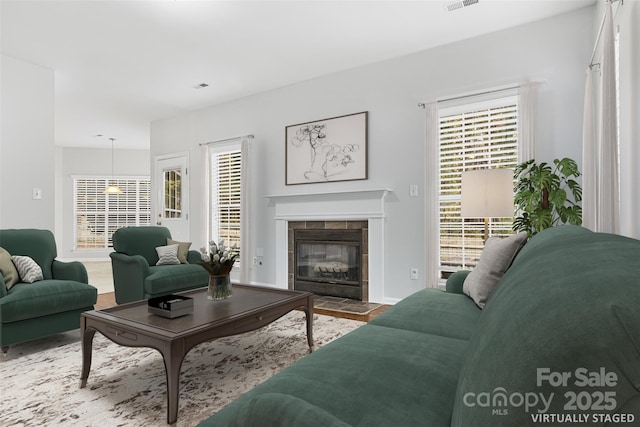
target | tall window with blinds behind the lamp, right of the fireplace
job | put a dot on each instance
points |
(472, 136)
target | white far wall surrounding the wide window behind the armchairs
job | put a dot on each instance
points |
(97, 163)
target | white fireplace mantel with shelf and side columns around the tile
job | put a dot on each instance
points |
(347, 206)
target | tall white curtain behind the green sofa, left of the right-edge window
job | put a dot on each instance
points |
(608, 189)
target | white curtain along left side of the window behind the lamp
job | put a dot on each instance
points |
(432, 208)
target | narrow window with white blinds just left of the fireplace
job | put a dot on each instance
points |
(226, 168)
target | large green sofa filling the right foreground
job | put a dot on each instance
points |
(558, 337)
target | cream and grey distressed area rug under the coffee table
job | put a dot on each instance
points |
(127, 386)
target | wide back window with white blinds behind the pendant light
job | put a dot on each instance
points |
(98, 215)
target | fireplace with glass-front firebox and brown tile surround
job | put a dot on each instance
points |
(329, 258)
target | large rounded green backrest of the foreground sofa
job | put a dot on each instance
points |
(570, 304)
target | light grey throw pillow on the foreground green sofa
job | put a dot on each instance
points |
(496, 258)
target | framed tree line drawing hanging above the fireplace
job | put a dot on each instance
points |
(327, 150)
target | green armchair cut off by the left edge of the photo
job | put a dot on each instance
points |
(45, 307)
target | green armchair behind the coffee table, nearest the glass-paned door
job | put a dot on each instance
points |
(135, 273)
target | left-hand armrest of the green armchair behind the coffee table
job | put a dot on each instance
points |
(129, 272)
